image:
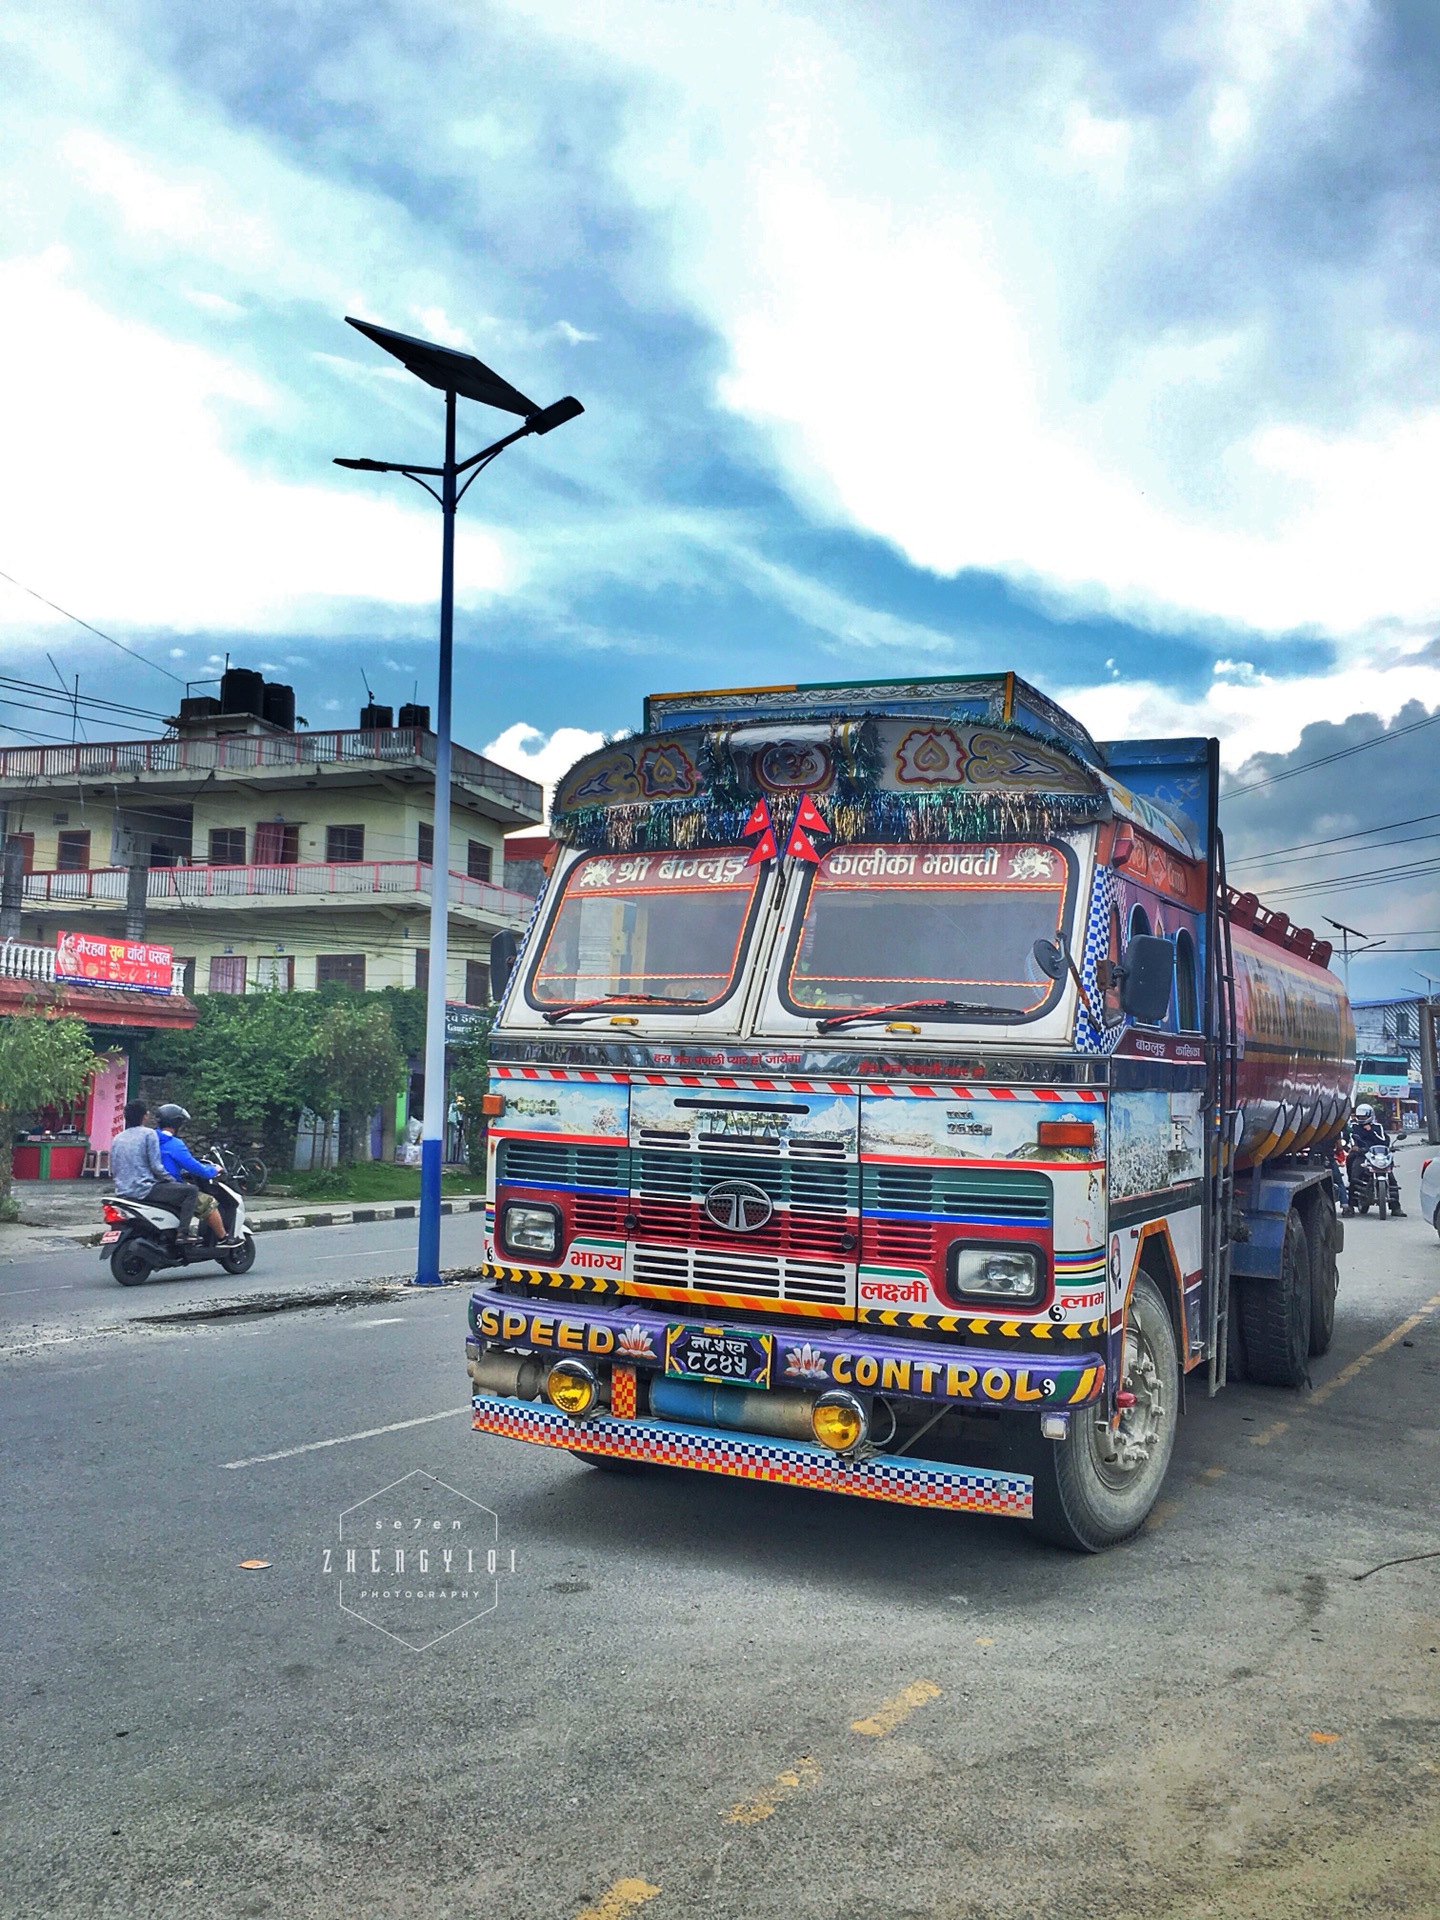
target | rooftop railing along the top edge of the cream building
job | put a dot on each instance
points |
(260, 752)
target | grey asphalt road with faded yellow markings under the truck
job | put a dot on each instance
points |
(696, 1698)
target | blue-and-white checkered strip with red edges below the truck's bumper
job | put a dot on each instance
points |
(913, 1483)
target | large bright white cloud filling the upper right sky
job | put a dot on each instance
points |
(924, 239)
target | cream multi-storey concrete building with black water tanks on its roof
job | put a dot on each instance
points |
(262, 855)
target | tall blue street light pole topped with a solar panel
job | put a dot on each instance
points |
(454, 375)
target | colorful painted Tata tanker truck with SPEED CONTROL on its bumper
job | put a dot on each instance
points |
(892, 1097)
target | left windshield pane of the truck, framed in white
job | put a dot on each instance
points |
(652, 928)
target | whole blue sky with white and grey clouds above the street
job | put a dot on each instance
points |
(938, 337)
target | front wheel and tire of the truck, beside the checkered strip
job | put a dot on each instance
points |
(1095, 1489)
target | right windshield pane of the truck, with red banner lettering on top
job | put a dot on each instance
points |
(930, 924)
